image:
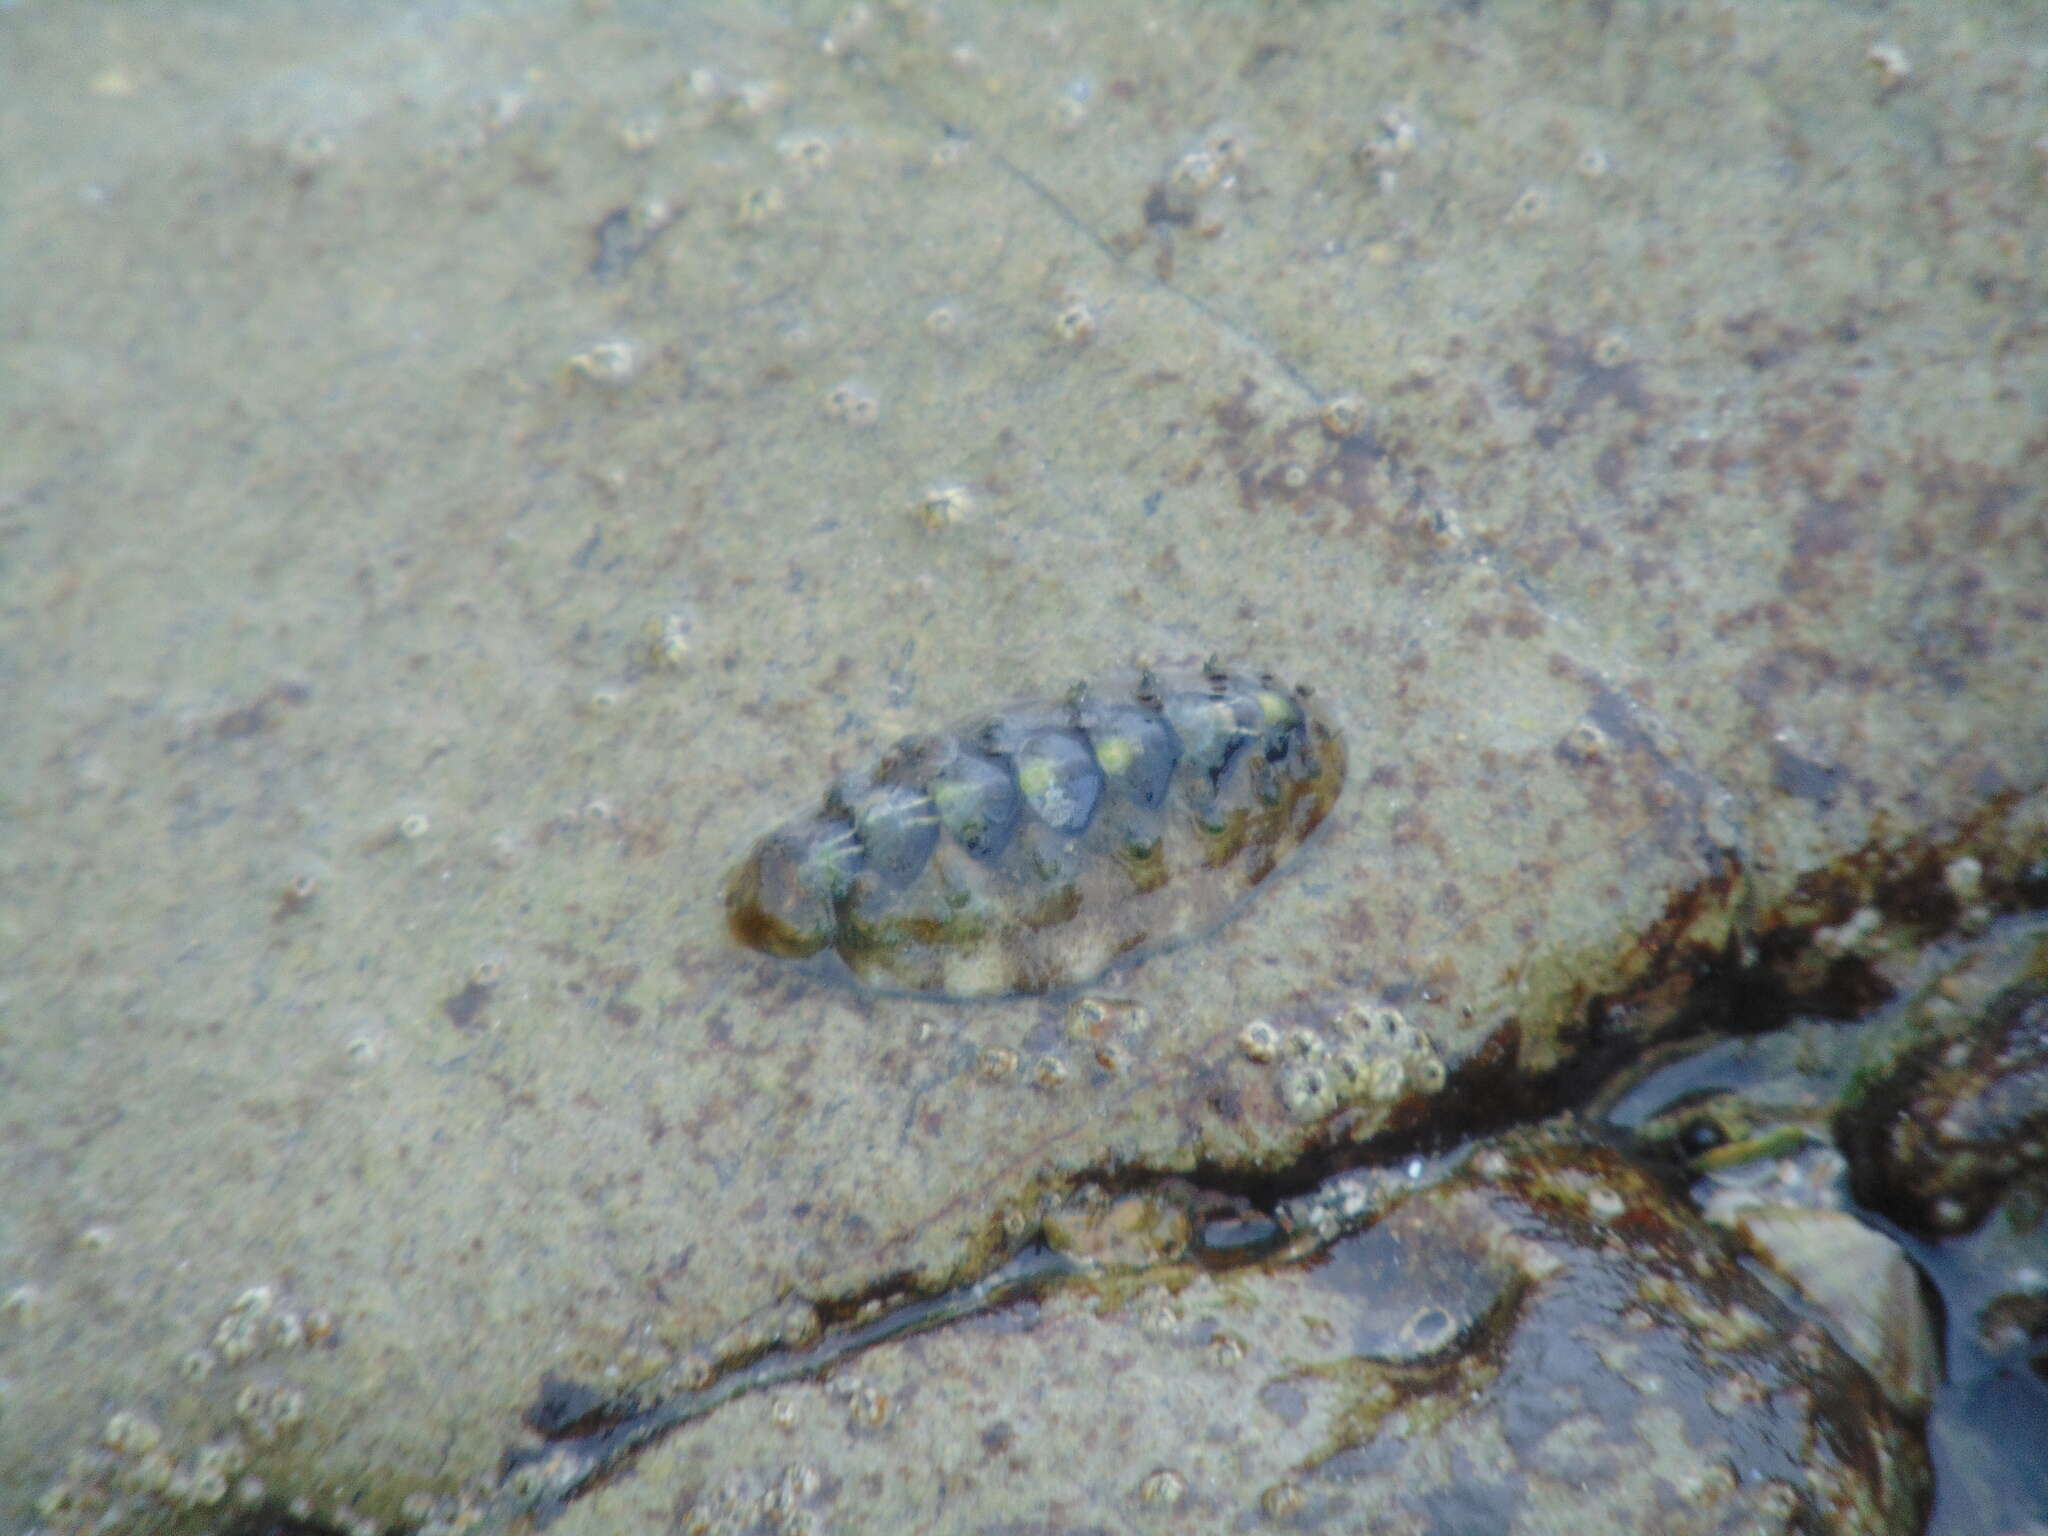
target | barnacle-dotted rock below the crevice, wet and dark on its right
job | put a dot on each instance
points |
(1541, 1340)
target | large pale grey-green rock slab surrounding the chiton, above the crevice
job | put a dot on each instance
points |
(472, 472)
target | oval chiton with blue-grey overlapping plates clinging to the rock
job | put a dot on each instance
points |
(1037, 845)
